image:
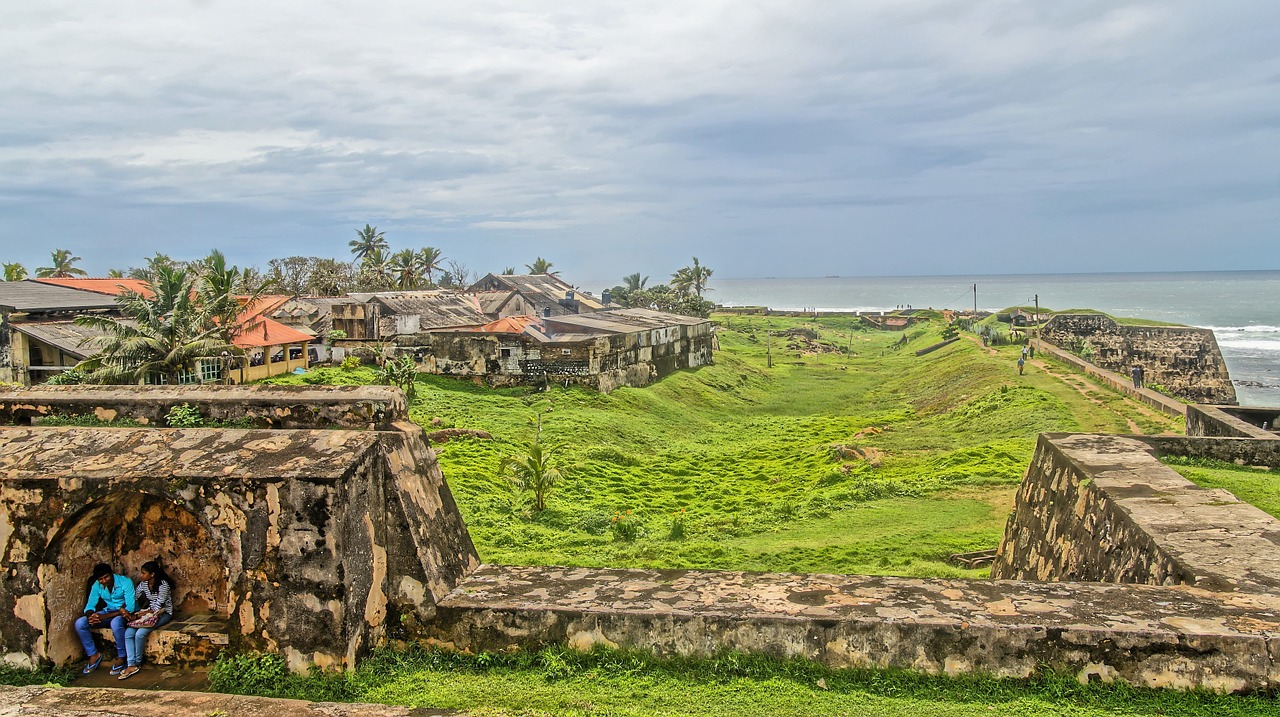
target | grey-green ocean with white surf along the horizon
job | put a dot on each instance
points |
(1242, 308)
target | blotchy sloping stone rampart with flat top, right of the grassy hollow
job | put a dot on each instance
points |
(1105, 509)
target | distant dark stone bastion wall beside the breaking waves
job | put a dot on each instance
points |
(1185, 360)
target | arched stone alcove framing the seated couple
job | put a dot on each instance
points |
(126, 529)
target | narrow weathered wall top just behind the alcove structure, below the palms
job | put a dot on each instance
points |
(267, 407)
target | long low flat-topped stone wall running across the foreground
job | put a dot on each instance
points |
(1177, 637)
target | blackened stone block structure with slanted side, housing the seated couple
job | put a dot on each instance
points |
(317, 545)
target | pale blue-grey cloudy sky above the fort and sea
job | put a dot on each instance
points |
(789, 139)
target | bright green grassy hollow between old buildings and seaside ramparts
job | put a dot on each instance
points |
(747, 453)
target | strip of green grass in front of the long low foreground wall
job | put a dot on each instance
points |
(557, 682)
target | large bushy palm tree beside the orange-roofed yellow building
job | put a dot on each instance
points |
(162, 335)
